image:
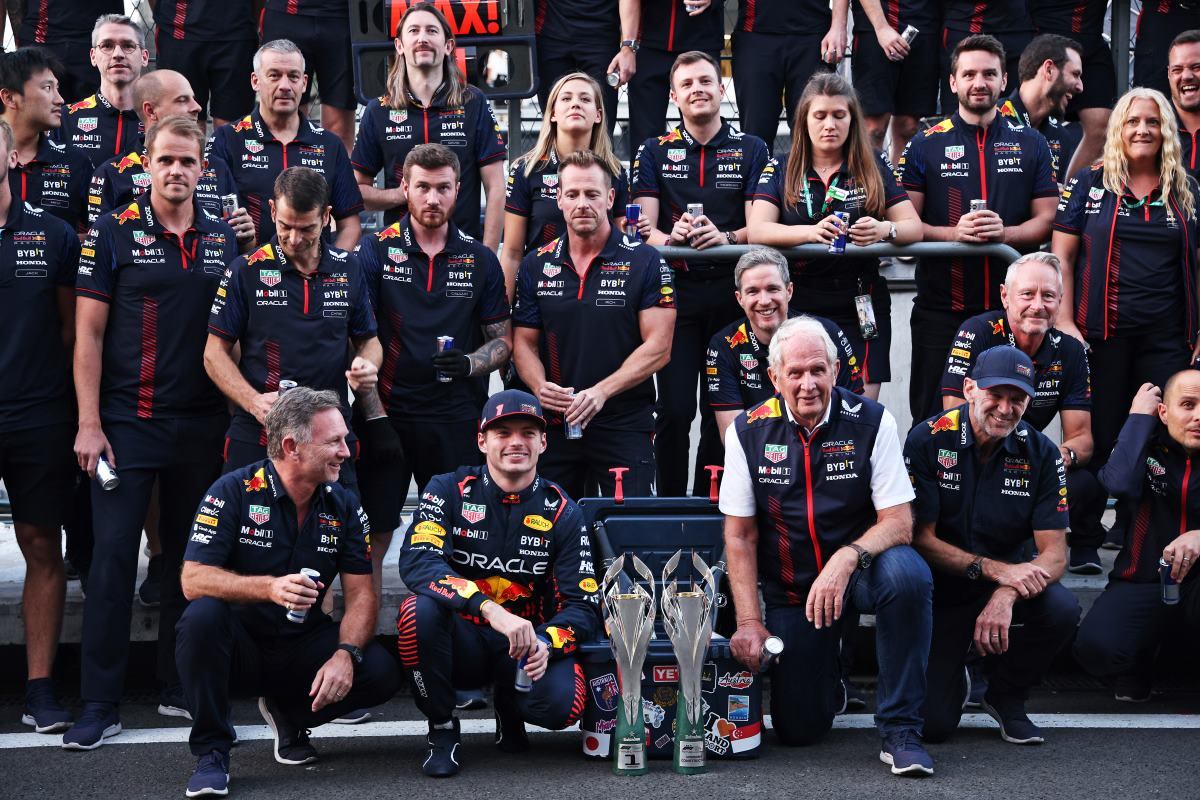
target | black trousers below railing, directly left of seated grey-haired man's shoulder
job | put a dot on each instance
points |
(704, 308)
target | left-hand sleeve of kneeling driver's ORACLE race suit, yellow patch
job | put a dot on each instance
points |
(425, 564)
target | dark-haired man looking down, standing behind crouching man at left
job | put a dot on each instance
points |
(296, 306)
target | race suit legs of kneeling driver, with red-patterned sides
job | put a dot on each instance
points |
(443, 652)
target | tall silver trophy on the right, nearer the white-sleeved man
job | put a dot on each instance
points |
(687, 616)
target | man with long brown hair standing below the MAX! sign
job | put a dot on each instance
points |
(430, 101)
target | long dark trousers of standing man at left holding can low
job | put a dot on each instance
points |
(185, 458)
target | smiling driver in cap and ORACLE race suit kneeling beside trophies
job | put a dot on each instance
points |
(501, 567)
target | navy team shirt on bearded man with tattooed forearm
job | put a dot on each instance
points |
(416, 302)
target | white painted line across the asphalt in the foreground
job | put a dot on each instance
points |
(418, 729)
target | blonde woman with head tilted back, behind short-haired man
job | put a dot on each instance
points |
(573, 122)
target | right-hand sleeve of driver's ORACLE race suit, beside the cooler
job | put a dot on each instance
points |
(578, 618)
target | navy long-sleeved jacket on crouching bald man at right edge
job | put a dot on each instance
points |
(1149, 470)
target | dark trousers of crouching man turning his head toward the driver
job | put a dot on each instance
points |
(219, 659)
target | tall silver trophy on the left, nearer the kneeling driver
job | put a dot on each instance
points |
(629, 617)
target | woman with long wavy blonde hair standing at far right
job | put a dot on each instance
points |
(1126, 233)
